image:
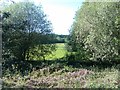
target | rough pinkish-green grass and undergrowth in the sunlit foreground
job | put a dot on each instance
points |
(54, 76)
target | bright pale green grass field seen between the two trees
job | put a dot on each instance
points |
(59, 53)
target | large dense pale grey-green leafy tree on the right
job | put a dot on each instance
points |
(95, 31)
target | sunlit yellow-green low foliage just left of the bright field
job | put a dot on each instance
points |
(40, 52)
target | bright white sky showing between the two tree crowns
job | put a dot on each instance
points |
(60, 13)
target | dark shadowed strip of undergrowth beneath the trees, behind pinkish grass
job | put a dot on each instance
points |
(25, 67)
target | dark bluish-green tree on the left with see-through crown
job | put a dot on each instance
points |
(27, 28)
